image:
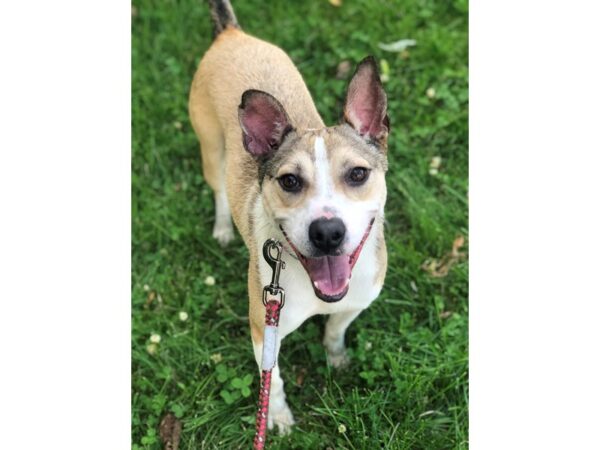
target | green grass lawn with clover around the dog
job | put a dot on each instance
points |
(407, 385)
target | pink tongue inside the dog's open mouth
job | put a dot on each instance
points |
(331, 273)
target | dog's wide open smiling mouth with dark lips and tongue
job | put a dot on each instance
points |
(330, 274)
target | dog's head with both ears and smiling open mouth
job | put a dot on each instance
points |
(323, 188)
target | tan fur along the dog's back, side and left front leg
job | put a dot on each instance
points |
(234, 63)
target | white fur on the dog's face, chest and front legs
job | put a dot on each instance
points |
(301, 301)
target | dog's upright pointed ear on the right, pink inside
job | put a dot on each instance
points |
(366, 103)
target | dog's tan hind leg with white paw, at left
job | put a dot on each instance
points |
(212, 147)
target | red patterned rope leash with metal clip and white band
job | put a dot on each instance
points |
(273, 299)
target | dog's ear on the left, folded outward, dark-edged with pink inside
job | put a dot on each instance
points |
(264, 123)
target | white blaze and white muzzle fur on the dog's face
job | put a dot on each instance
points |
(329, 203)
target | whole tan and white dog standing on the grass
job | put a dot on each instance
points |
(281, 173)
